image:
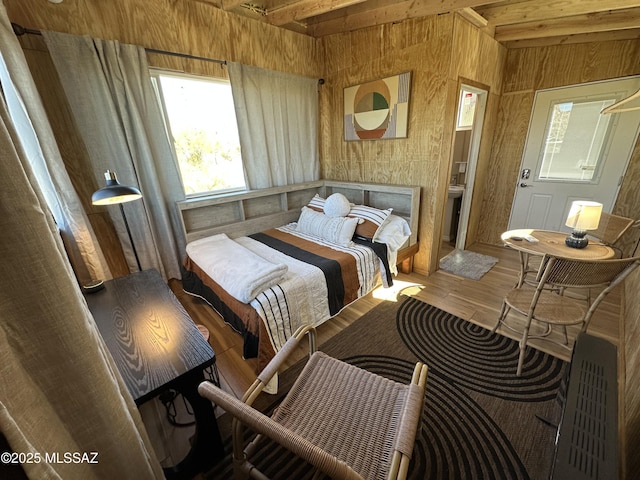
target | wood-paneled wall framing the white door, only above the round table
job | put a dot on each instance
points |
(531, 69)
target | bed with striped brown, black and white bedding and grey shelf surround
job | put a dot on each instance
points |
(250, 258)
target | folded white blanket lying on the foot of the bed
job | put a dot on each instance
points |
(238, 270)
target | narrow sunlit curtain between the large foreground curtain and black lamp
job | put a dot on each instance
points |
(35, 132)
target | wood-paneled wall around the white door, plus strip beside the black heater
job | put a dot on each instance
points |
(526, 71)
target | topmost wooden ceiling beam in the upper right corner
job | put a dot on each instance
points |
(539, 10)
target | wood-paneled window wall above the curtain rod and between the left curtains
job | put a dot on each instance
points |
(176, 26)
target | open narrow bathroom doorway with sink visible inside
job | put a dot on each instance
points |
(472, 102)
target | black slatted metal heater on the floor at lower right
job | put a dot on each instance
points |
(587, 437)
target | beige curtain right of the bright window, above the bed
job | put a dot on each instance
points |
(277, 116)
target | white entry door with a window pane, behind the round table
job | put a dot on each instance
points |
(573, 152)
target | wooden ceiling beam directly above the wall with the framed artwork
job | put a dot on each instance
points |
(376, 12)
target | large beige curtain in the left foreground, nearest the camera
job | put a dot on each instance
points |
(59, 389)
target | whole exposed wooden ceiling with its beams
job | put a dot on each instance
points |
(515, 23)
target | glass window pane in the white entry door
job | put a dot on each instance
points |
(575, 139)
